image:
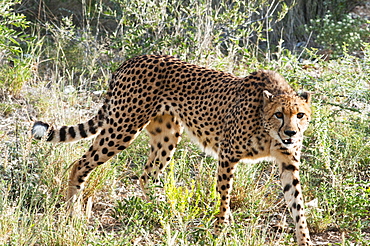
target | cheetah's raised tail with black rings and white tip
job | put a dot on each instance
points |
(67, 133)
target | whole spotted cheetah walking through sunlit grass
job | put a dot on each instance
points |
(258, 117)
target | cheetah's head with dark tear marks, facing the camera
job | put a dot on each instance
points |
(286, 117)
